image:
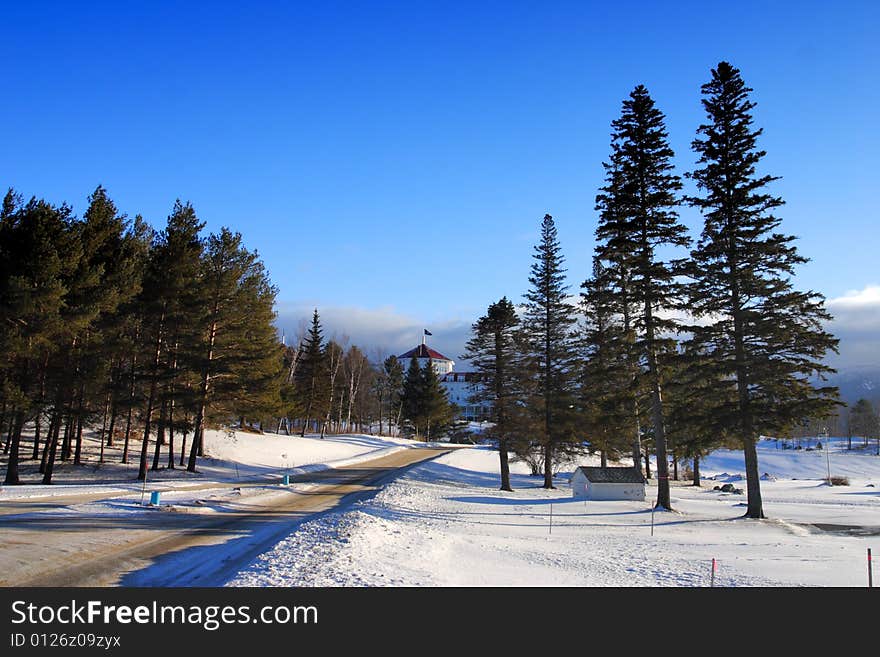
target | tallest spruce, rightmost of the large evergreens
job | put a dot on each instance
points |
(762, 335)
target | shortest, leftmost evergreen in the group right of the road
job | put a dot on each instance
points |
(492, 352)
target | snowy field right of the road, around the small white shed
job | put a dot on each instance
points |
(445, 524)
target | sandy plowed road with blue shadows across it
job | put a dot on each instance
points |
(202, 543)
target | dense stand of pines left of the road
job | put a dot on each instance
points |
(106, 323)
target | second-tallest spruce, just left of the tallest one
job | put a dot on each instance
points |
(638, 218)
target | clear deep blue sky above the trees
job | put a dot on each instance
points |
(392, 161)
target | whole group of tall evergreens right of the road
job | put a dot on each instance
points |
(682, 344)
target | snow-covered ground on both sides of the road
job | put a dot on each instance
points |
(445, 523)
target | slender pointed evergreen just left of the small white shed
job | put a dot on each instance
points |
(548, 338)
